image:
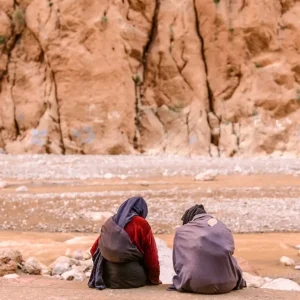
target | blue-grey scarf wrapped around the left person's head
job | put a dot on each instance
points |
(135, 206)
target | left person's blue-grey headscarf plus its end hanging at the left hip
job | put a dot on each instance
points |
(135, 206)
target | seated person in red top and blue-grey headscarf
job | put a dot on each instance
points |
(125, 254)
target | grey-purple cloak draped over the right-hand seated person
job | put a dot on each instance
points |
(202, 258)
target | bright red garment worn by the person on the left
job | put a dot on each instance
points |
(141, 236)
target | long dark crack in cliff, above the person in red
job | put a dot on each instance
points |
(137, 80)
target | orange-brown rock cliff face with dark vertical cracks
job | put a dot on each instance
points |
(191, 77)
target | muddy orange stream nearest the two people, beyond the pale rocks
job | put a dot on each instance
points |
(262, 251)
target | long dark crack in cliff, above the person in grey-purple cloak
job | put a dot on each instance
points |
(209, 90)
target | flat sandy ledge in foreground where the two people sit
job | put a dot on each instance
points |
(28, 288)
